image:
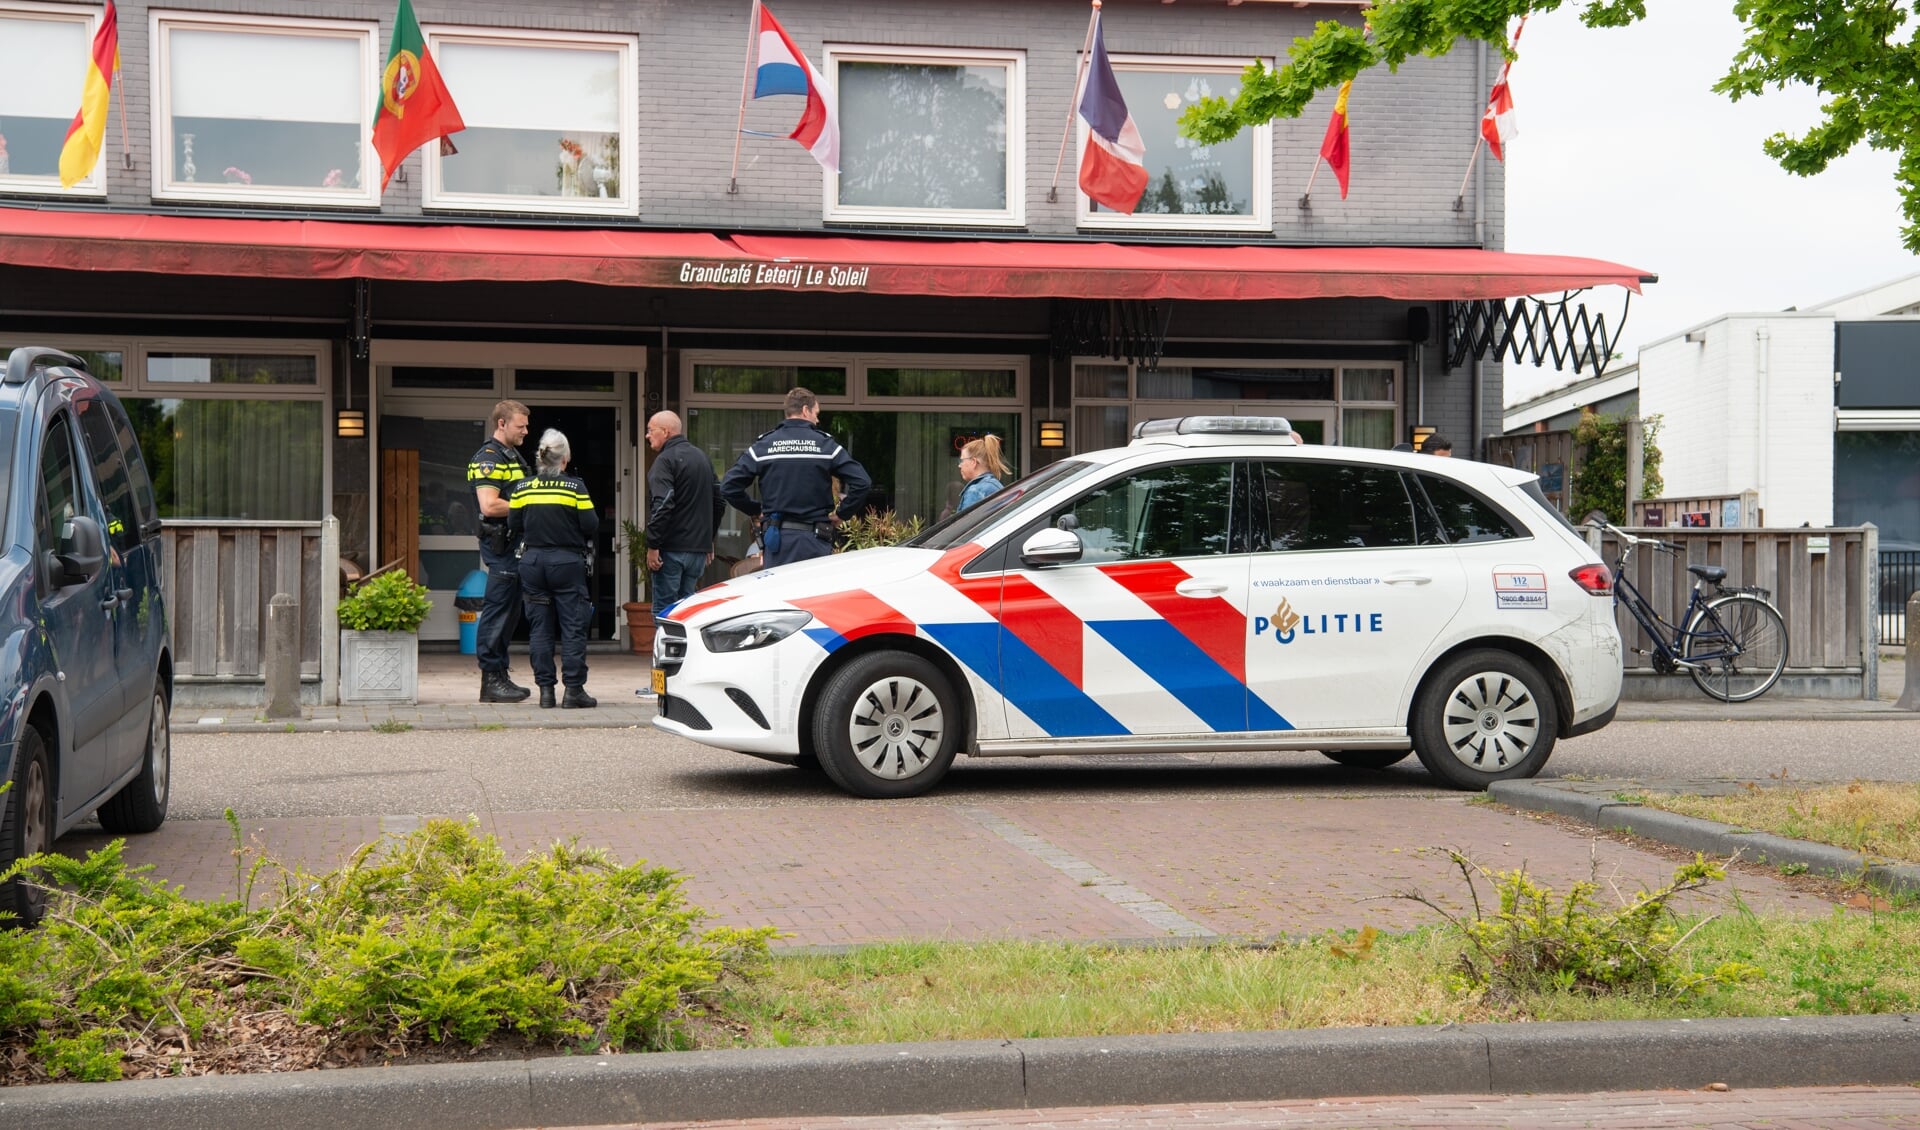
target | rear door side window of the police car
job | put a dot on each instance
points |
(1332, 506)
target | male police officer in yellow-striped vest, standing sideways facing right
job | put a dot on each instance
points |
(492, 473)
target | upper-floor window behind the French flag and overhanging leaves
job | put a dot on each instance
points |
(1222, 187)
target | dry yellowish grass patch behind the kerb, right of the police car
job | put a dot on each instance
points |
(1879, 820)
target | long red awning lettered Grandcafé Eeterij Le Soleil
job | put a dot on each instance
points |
(268, 248)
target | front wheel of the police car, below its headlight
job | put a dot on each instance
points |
(888, 726)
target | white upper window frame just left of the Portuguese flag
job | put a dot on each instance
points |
(162, 24)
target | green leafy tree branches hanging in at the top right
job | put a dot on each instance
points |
(1860, 57)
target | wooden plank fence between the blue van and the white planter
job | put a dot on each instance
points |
(220, 578)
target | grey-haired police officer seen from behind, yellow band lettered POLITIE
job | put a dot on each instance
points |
(556, 519)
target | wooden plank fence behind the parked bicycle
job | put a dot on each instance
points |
(1821, 580)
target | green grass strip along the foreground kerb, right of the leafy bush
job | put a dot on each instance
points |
(1836, 966)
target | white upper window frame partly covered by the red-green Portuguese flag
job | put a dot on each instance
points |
(627, 49)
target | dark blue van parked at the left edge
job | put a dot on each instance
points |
(85, 655)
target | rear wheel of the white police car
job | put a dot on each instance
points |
(1483, 717)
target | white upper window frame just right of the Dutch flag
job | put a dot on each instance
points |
(1015, 216)
